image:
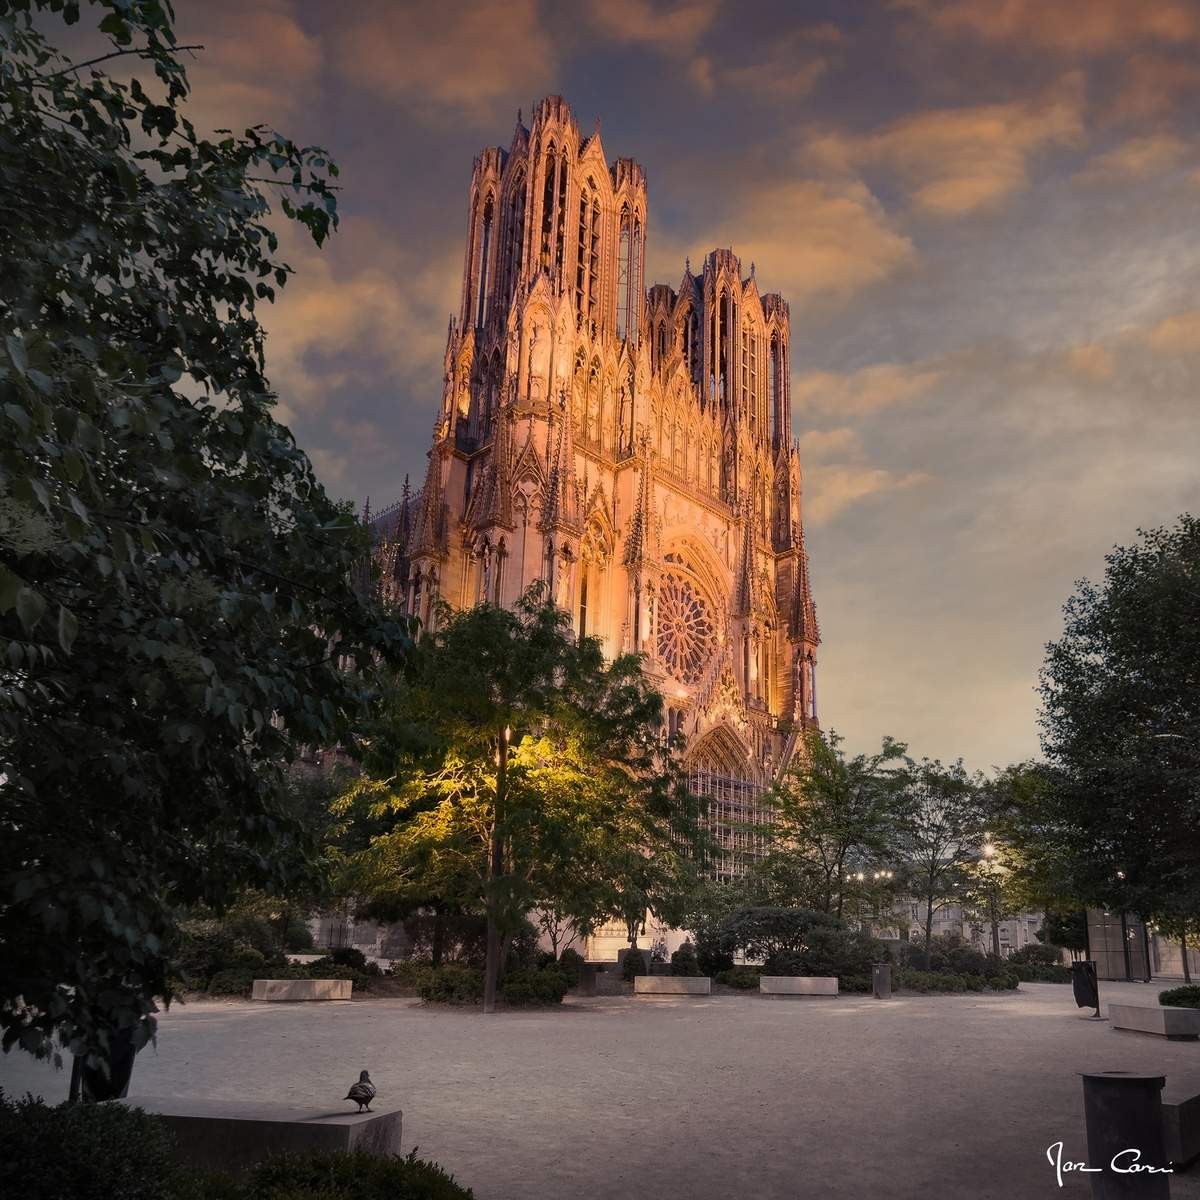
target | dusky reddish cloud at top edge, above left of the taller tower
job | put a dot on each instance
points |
(469, 59)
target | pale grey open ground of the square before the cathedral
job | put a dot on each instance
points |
(703, 1100)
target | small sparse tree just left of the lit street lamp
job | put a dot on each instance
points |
(941, 831)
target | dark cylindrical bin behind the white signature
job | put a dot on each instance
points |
(1124, 1113)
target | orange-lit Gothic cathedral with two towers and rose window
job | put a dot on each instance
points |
(631, 447)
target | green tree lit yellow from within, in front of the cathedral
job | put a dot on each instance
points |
(519, 769)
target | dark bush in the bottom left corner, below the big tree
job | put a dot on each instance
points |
(85, 1153)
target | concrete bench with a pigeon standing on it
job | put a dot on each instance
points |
(233, 1136)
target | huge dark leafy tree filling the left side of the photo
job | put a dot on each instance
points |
(176, 602)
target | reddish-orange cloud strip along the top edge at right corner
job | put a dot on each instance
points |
(1065, 27)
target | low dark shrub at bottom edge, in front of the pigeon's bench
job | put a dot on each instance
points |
(352, 1177)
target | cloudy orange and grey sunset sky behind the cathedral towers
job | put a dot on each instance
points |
(983, 214)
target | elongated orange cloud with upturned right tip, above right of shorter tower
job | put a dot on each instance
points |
(958, 161)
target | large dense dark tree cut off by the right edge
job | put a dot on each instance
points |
(1121, 729)
